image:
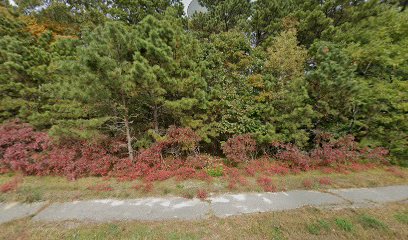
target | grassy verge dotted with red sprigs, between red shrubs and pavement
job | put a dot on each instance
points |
(59, 189)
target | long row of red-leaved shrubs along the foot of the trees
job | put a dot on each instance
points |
(30, 152)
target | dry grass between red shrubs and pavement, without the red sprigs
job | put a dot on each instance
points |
(54, 189)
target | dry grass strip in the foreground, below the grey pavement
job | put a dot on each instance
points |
(275, 225)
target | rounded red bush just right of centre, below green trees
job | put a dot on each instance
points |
(239, 148)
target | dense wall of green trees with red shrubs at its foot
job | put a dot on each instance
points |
(140, 80)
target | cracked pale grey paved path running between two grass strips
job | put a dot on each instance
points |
(105, 210)
